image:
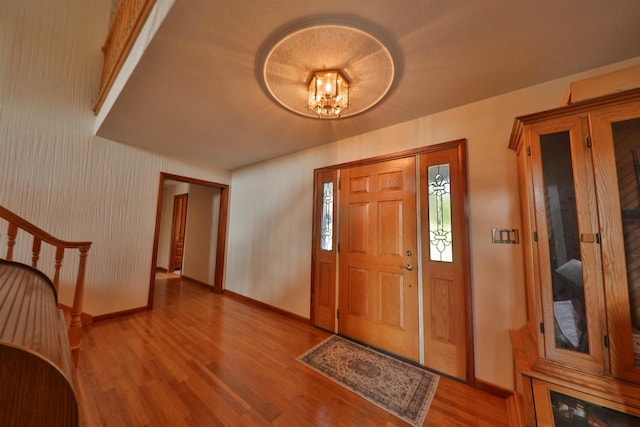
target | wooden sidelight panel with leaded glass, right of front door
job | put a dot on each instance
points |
(445, 262)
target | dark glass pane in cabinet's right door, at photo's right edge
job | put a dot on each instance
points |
(626, 140)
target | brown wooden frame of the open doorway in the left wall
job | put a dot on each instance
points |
(221, 244)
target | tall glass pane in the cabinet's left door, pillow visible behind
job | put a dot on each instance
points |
(564, 243)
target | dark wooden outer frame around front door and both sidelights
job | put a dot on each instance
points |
(460, 146)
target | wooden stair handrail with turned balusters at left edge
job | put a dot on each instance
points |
(16, 222)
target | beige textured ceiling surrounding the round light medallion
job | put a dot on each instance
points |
(197, 92)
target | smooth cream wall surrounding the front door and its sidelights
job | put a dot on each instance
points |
(271, 214)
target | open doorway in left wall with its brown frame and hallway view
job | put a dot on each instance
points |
(202, 254)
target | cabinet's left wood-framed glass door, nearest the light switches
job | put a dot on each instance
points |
(568, 237)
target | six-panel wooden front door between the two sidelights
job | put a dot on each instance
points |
(378, 292)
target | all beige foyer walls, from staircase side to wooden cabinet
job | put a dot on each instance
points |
(56, 174)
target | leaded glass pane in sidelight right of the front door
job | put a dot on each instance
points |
(440, 240)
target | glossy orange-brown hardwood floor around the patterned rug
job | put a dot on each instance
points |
(203, 359)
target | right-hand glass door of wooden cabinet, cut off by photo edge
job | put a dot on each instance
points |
(616, 136)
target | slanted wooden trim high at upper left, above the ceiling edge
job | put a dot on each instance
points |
(127, 21)
